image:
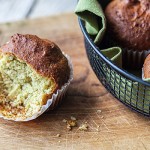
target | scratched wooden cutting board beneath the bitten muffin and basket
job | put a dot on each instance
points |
(111, 124)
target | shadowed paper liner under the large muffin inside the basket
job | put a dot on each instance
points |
(133, 59)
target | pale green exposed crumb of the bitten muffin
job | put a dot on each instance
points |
(22, 90)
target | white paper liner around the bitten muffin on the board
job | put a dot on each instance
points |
(51, 103)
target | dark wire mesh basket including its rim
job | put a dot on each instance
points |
(129, 89)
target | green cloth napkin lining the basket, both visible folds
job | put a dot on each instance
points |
(92, 13)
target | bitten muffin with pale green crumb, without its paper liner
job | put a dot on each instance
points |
(31, 71)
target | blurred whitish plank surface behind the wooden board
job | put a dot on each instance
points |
(13, 10)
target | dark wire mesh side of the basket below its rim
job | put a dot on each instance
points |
(134, 94)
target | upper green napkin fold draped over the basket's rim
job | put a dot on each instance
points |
(91, 12)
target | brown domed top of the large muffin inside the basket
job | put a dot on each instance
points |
(128, 23)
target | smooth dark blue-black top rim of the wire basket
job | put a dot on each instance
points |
(108, 61)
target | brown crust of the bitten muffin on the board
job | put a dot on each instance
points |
(43, 56)
